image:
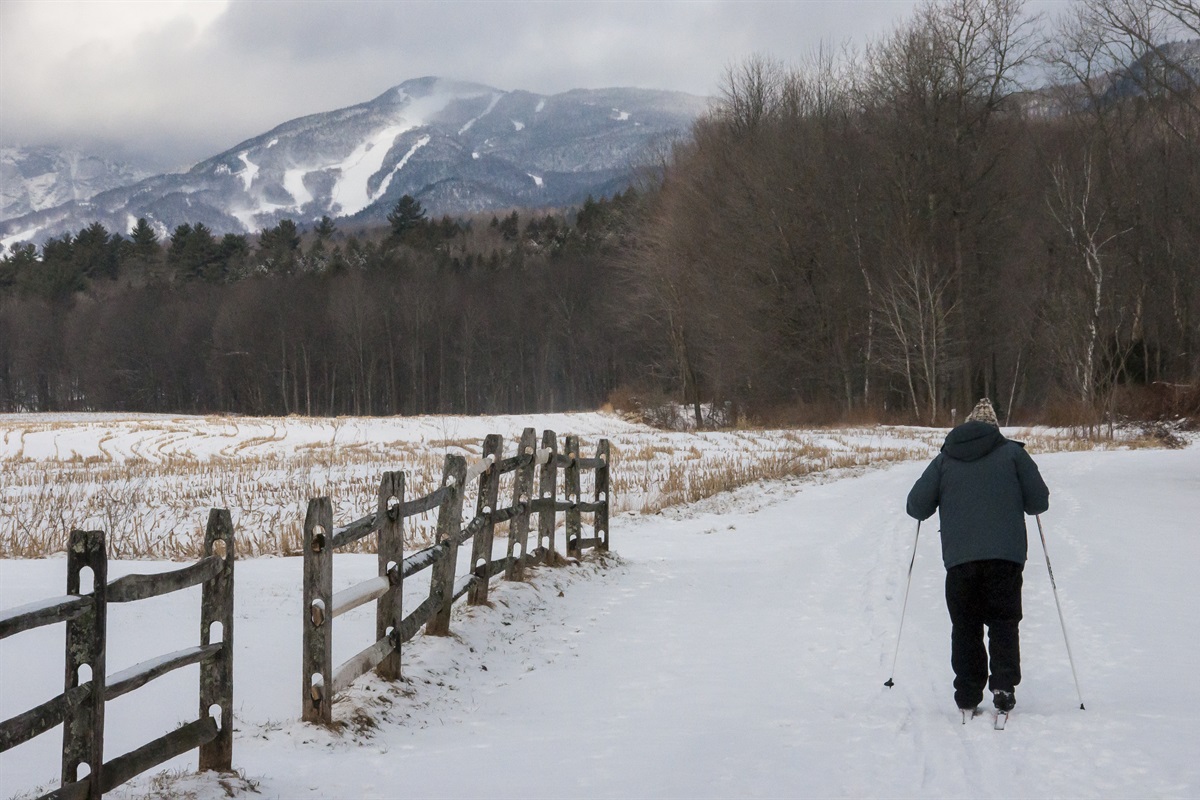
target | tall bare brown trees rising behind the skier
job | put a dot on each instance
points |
(909, 228)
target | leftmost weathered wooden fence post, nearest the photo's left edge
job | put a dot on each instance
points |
(83, 723)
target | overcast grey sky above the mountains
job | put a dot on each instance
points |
(184, 80)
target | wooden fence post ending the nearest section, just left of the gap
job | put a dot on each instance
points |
(217, 675)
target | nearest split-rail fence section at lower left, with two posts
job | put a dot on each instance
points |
(81, 707)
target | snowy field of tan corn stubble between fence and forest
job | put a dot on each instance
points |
(149, 480)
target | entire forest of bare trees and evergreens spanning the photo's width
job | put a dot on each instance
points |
(980, 203)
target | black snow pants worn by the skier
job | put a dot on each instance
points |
(979, 594)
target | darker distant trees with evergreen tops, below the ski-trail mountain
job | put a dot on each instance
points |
(422, 317)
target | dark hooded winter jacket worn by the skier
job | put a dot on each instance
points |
(982, 485)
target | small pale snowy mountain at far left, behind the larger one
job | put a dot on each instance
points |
(34, 179)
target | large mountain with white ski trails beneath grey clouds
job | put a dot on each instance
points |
(457, 147)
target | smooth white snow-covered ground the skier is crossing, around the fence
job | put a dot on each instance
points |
(734, 647)
